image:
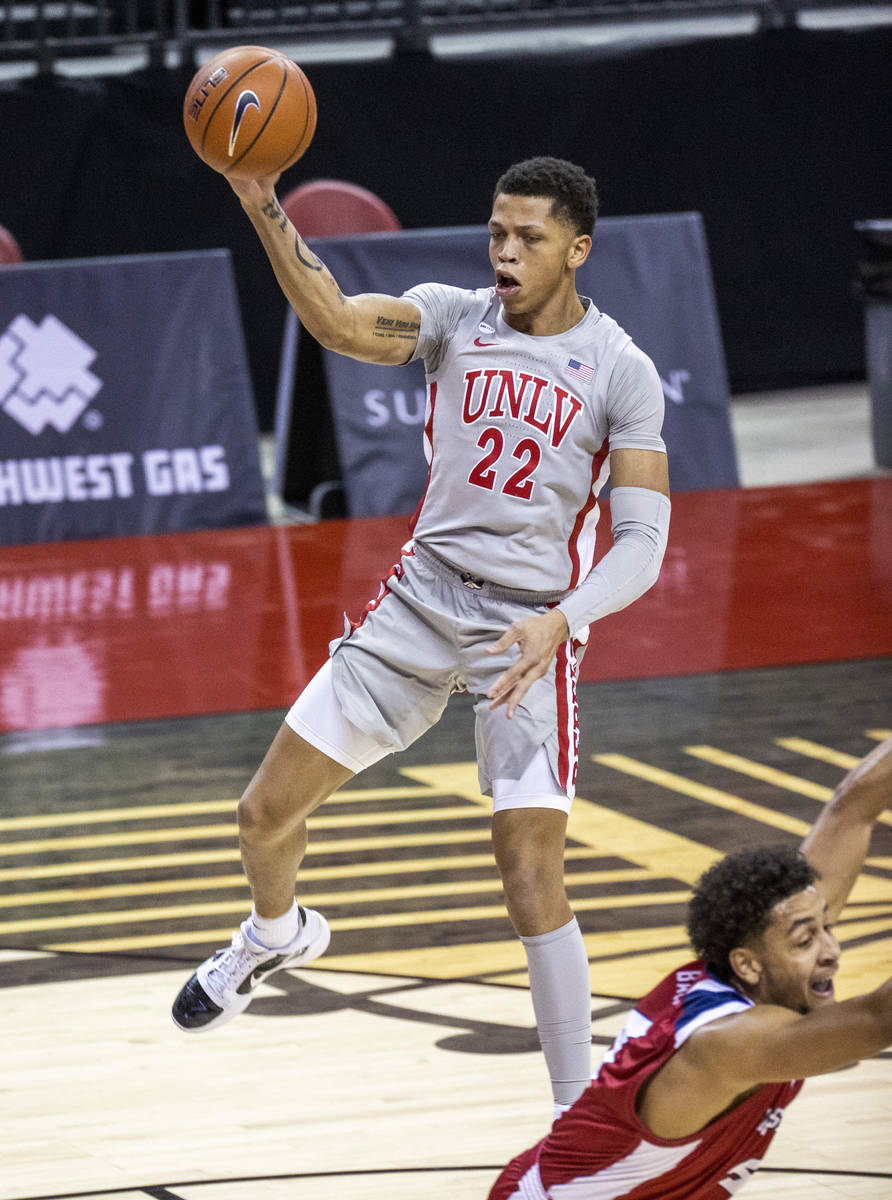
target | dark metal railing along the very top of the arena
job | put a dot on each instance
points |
(49, 32)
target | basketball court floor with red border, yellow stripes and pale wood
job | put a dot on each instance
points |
(141, 681)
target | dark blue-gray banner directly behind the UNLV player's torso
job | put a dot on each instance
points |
(650, 273)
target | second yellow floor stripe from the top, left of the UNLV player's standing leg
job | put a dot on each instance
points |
(196, 833)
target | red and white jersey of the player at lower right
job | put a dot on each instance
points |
(600, 1150)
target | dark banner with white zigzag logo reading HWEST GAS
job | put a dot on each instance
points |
(125, 400)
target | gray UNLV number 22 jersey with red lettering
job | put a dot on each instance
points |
(518, 431)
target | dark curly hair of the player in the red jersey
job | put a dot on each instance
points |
(733, 901)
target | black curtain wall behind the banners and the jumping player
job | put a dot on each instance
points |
(780, 139)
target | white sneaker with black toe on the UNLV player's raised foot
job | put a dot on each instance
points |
(224, 985)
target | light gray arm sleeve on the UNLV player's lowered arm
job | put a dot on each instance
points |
(632, 566)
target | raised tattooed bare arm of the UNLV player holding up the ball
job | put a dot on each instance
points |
(369, 327)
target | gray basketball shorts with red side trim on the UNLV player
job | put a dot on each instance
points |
(422, 639)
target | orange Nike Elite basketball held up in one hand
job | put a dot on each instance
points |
(249, 112)
